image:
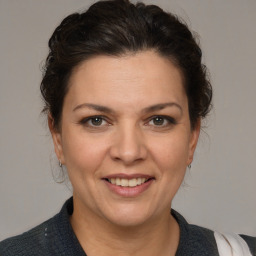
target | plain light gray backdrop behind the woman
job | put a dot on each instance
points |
(221, 186)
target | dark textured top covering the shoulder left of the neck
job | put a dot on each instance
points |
(53, 237)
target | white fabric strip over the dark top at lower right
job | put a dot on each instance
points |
(231, 245)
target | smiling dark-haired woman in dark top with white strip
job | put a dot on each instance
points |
(125, 92)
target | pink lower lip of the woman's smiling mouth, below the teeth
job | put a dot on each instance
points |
(129, 191)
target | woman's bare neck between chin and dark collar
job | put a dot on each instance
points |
(100, 237)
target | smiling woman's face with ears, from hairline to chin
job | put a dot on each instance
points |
(125, 137)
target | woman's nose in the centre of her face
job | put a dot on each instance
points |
(128, 145)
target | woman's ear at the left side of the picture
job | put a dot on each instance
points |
(57, 141)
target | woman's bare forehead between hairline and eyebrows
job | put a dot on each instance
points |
(137, 78)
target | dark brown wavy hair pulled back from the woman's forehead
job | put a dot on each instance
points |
(117, 28)
